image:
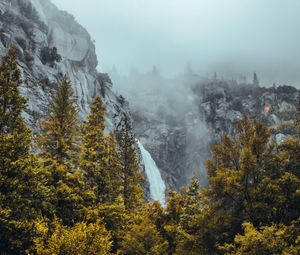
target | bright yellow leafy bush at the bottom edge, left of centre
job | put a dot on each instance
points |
(81, 239)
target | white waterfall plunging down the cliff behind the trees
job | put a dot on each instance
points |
(157, 185)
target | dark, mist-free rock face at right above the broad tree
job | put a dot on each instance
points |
(222, 103)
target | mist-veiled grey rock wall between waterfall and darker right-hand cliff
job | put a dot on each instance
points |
(168, 122)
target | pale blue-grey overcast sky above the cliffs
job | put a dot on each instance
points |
(227, 36)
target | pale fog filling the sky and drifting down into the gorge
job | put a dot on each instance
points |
(232, 38)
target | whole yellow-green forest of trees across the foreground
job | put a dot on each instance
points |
(75, 189)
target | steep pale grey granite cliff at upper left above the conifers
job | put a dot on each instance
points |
(51, 44)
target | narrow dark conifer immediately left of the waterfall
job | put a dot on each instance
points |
(130, 172)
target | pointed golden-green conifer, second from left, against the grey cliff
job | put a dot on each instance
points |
(59, 130)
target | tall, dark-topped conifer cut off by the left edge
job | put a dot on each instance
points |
(23, 194)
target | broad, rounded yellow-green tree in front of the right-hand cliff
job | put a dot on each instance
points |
(250, 181)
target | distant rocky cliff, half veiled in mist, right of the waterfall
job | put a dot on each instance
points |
(179, 119)
